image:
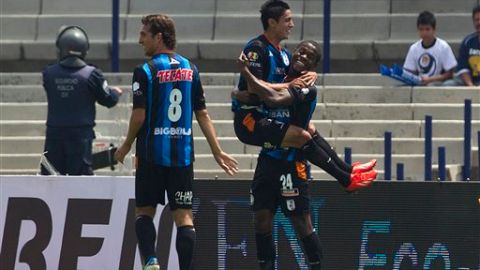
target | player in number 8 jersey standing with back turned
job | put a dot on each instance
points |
(166, 92)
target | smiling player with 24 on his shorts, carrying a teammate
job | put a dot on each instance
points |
(281, 174)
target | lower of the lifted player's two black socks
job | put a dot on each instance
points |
(317, 156)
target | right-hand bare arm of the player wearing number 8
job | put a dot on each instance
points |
(225, 161)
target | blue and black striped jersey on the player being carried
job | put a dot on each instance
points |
(266, 62)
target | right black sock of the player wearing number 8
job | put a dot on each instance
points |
(185, 243)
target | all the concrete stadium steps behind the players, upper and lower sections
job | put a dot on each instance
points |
(354, 110)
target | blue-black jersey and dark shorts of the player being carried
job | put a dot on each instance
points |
(269, 64)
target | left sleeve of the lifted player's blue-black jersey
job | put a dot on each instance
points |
(257, 62)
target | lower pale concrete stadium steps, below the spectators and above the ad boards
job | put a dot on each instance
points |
(347, 114)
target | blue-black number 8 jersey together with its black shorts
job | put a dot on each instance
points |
(168, 87)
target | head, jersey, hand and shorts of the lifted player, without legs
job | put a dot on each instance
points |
(268, 61)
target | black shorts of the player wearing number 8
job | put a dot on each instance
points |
(151, 182)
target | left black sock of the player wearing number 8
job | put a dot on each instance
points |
(146, 236)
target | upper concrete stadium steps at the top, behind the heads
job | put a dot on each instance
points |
(364, 33)
